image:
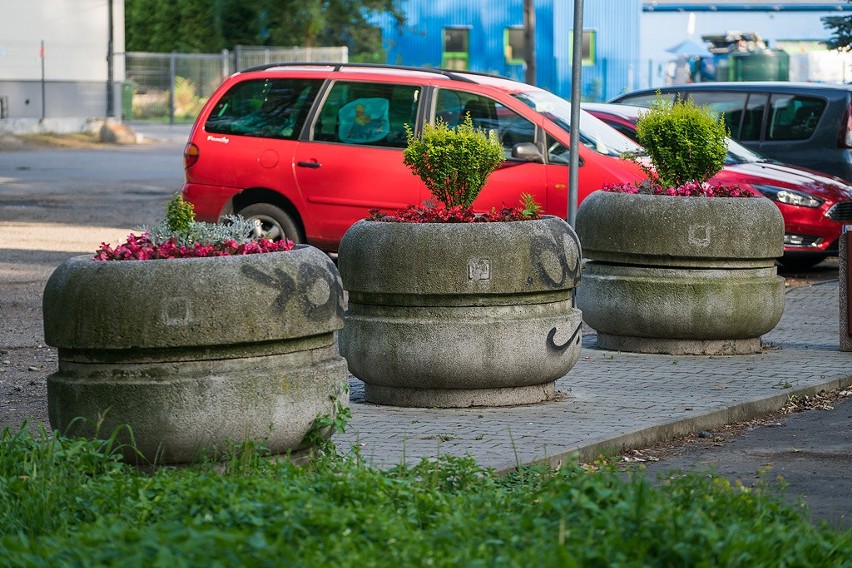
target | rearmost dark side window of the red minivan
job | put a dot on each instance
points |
(271, 108)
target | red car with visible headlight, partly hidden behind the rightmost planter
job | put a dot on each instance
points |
(815, 205)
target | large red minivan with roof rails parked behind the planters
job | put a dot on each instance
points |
(309, 149)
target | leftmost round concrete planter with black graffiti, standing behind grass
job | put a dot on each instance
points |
(194, 354)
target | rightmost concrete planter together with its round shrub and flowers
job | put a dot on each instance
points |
(680, 276)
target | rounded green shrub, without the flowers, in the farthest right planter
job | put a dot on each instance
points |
(685, 143)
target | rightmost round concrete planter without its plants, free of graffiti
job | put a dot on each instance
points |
(680, 275)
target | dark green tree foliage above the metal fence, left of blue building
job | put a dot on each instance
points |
(208, 26)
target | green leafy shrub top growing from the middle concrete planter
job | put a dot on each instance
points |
(454, 163)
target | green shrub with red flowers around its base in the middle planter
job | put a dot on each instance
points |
(455, 163)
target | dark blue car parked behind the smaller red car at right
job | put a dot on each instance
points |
(807, 124)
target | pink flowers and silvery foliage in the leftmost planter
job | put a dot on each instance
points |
(179, 235)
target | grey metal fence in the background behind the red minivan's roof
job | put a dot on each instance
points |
(176, 85)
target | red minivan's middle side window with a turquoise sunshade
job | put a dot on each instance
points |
(371, 114)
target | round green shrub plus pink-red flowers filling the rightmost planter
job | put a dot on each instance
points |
(686, 147)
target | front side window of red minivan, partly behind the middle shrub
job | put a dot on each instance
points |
(511, 128)
